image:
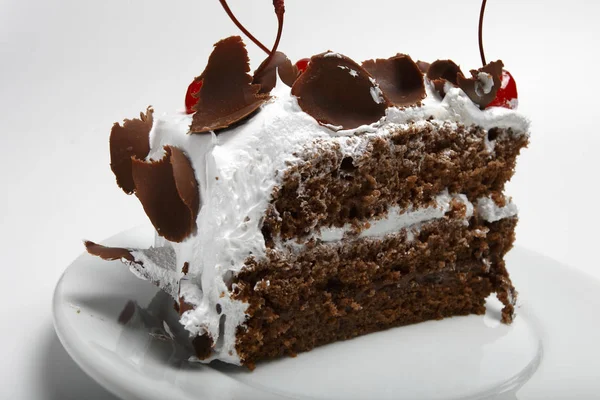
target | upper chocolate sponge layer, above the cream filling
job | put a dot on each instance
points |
(411, 166)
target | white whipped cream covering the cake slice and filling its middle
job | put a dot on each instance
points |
(237, 171)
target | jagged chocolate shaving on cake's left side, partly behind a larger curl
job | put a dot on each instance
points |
(131, 139)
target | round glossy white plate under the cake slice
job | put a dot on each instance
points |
(550, 351)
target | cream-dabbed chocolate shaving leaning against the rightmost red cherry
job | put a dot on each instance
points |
(484, 84)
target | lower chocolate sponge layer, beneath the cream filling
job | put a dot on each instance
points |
(336, 291)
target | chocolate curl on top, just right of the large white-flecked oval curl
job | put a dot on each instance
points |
(399, 78)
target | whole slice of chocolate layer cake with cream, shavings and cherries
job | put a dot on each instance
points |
(310, 203)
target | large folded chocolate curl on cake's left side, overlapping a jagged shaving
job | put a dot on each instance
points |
(168, 191)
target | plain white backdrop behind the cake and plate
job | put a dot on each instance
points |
(70, 68)
